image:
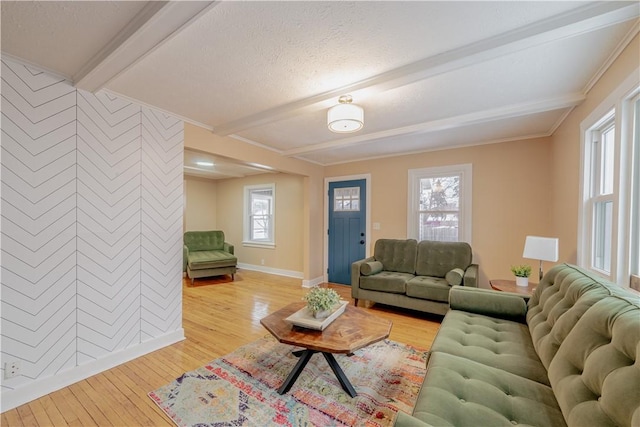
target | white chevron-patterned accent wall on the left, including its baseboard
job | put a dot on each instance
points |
(91, 237)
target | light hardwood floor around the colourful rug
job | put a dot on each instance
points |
(218, 317)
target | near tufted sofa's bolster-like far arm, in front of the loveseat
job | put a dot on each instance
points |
(505, 305)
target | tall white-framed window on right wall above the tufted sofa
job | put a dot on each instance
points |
(610, 211)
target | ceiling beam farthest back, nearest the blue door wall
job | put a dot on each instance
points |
(510, 111)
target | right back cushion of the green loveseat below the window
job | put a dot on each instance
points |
(438, 258)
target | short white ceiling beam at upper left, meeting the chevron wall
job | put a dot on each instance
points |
(154, 25)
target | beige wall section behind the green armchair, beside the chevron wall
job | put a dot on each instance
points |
(199, 204)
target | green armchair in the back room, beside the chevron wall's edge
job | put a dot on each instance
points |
(206, 254)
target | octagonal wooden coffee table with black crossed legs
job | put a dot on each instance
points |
(352, 330)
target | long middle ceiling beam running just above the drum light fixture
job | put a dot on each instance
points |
(569, 24)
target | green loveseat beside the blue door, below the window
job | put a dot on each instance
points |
(408, 274)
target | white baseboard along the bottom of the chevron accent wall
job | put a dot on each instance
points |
(39, 387)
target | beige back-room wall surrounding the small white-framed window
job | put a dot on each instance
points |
(289, 210)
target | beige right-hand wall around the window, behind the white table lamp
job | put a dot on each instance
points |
(565, 151)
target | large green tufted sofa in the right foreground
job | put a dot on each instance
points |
(568, 357)
